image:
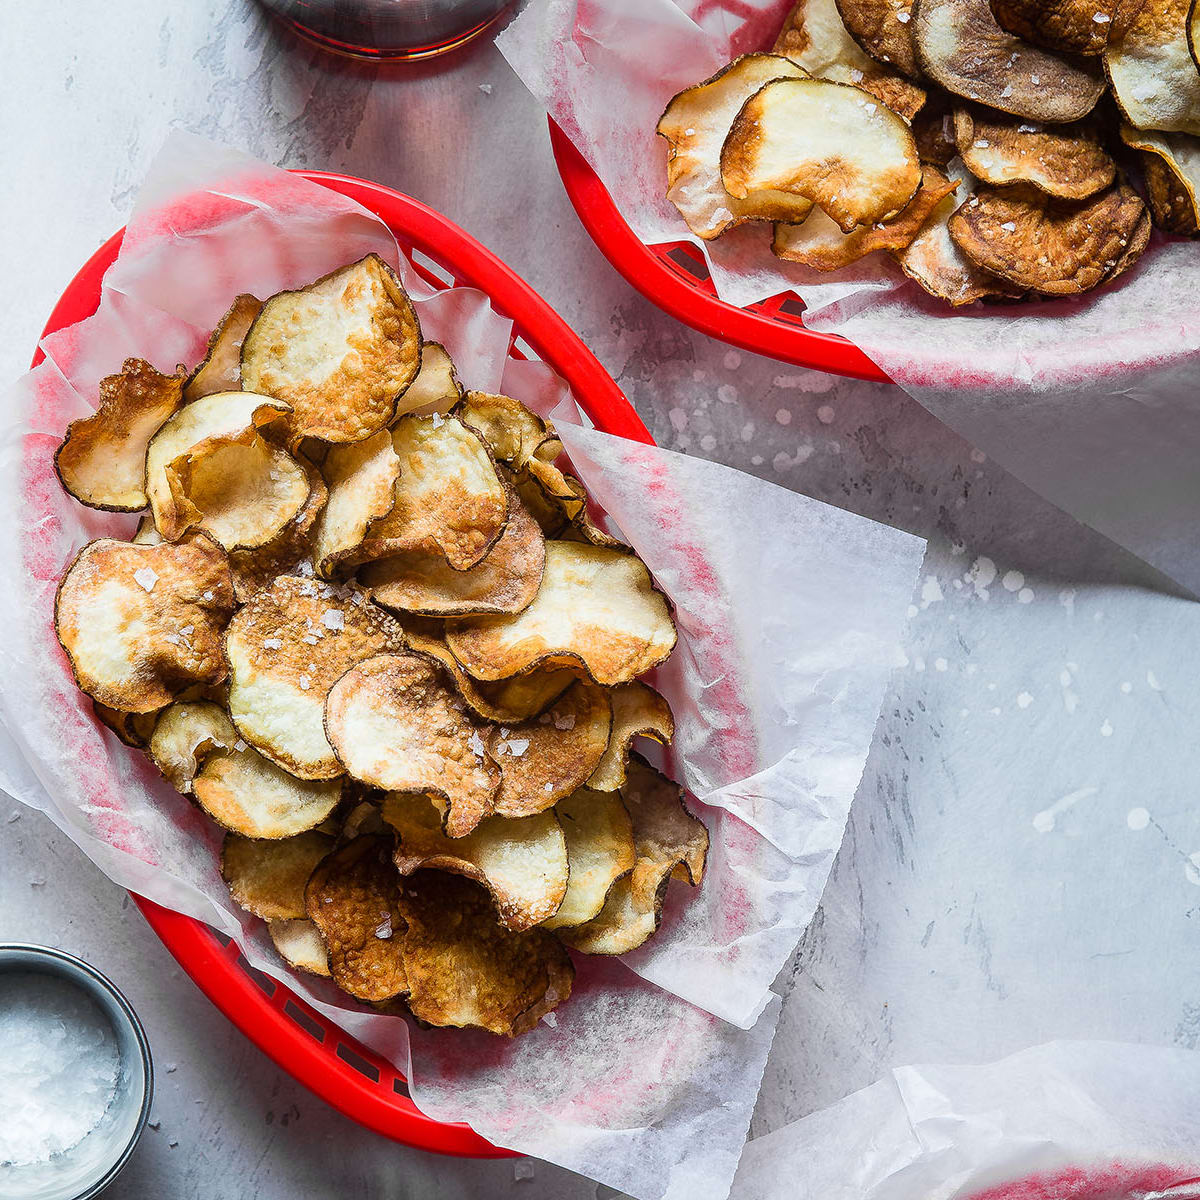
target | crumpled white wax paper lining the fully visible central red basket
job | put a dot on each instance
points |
(647, 1077)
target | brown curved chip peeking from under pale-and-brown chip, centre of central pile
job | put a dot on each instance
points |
(505, 583)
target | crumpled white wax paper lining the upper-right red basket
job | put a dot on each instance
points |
(1091, 401)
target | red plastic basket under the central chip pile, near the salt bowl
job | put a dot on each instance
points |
(340, 1070)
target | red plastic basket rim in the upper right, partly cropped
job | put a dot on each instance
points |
(675, 277)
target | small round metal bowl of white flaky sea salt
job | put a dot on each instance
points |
(76, 1077)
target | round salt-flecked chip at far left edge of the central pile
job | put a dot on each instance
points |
(142, 623)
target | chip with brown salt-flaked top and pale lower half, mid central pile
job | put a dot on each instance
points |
(286, 649)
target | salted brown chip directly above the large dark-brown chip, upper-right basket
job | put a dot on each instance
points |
(1060, 160)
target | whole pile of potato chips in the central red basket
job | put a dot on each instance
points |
(371, 629)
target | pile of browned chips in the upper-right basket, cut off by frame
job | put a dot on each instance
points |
(982, 143)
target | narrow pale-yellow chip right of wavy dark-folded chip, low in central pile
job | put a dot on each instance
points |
(599, 851)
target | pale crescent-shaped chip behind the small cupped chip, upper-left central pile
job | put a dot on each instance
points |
(229, 416)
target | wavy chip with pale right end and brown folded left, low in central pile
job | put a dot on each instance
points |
(523, 862)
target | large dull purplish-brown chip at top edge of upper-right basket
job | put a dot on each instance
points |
(962, 47)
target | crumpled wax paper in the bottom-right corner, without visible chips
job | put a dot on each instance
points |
(1060, 1121)
